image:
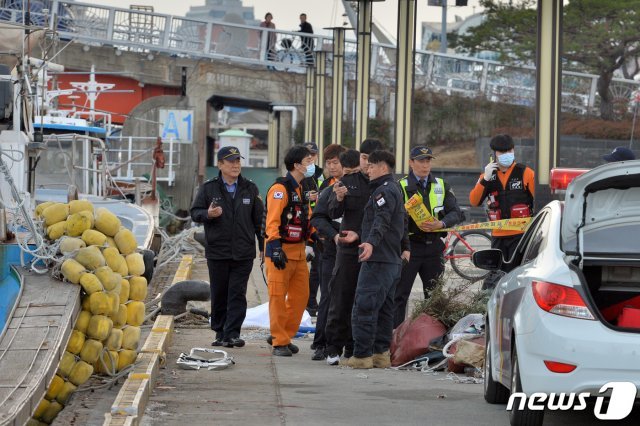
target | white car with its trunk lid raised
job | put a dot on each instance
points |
(566, 318)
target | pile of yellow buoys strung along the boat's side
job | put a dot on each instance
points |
(101, 257)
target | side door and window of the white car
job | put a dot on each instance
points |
(512, 286)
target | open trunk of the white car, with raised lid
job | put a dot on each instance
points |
(600, 233)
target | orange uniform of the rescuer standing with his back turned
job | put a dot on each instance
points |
(288, 287)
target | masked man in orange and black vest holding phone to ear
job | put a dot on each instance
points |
(509, 188)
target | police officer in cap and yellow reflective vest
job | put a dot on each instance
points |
(426, 245)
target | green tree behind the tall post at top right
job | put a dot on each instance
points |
(599, 37)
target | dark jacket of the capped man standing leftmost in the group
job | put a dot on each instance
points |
(231, 236)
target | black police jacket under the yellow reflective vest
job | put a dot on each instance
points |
(449, 212)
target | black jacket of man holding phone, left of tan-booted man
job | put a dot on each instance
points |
(351, 208)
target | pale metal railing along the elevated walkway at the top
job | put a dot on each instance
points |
(146, 32)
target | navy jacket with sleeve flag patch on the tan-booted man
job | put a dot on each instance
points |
(383, 224)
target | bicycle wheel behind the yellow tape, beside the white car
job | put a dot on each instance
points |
(460, 254)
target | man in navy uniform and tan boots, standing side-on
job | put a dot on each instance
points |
(383, 229)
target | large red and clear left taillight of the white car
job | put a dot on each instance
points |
(560, 300)
